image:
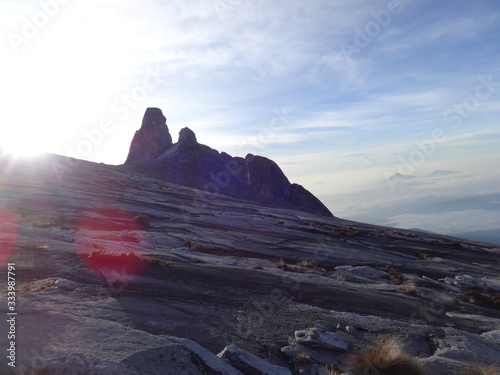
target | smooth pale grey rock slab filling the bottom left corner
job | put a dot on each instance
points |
(65, 345)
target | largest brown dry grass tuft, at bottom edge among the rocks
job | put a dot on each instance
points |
(384, 358)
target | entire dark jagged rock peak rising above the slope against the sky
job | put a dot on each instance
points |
(189, 163)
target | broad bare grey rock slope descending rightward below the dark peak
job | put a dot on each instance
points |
(118, 272)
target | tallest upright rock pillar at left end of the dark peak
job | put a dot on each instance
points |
(152, 139)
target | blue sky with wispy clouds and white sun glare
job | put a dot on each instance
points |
(342, 94)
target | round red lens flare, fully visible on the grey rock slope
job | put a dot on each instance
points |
(109, 241)
